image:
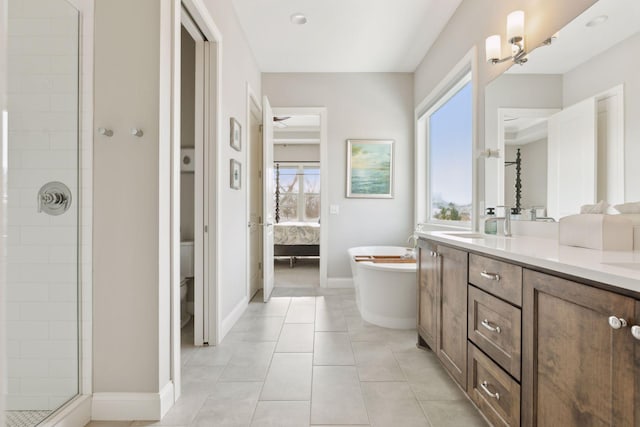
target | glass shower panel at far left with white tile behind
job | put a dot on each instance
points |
(42, 251)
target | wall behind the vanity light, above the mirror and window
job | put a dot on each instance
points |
(470, 25)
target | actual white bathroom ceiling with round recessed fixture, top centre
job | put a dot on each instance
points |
(342, 35)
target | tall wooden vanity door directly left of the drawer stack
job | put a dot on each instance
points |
(451, 340)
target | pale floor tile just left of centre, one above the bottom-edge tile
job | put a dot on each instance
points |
(289, 377)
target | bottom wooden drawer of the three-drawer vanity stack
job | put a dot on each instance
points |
(494, 392)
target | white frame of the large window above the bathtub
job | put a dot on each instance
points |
(463, 72)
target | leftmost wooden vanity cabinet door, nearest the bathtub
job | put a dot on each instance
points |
(428, 278)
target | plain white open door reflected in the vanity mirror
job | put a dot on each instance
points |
(572, 167)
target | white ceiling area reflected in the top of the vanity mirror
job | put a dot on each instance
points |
(577, 42)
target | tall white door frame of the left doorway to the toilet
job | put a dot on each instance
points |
(212, 129)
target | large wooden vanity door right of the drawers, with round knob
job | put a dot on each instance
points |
(577, 370)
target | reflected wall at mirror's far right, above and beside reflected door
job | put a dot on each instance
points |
(611, 68)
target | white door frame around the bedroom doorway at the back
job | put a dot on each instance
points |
(324, 180)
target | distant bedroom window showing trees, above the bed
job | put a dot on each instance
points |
(299, 192)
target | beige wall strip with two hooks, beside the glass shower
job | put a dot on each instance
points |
(127, 190)
